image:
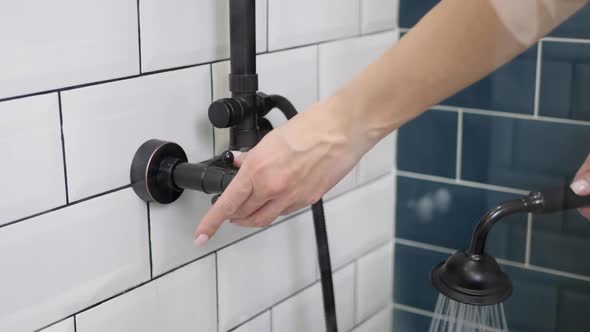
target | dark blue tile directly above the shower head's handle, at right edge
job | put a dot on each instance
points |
(522, 153)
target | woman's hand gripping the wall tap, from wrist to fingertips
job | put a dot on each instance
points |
(293, 166)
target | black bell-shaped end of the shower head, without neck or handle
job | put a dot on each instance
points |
(472, 279)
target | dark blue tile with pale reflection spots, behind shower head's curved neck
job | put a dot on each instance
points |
(446, 215)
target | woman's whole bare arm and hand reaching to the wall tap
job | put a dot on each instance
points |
(456, 44)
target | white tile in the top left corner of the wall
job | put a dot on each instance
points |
(48, 45)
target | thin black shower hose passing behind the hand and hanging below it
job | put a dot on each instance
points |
(319, 222)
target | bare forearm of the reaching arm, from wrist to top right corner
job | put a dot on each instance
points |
(454, 45)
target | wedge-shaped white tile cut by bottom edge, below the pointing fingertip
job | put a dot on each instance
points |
(179, 301)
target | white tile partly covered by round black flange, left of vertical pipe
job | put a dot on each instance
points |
(105, 124)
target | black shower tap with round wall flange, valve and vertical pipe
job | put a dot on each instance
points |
(160, 170)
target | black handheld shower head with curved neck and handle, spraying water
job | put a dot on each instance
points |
(475, 278)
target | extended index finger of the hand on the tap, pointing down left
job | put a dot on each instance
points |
(230, 201)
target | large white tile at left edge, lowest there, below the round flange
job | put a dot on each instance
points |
(64, 261)
